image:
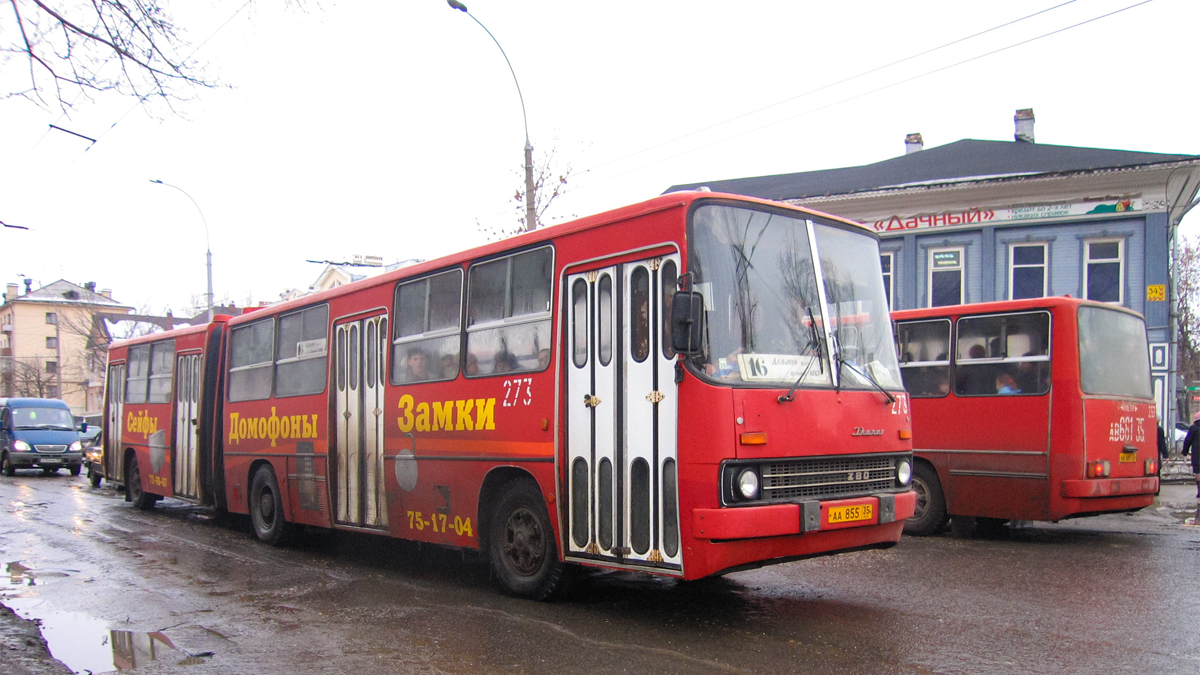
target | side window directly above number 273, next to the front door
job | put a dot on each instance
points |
(508, 310)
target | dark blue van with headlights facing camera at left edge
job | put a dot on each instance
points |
(39, 434)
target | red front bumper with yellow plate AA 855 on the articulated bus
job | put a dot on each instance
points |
(779, 521)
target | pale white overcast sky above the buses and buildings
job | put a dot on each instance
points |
(395, 130)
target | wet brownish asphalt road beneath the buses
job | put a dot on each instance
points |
(1105, 595)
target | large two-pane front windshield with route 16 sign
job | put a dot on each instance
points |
(765, 315)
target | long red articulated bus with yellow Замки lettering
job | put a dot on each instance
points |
(554, 399)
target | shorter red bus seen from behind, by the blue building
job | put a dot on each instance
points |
(1028, 410)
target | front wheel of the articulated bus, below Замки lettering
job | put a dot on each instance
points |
(521, 545)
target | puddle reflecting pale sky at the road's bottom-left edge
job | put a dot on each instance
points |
(85, 643)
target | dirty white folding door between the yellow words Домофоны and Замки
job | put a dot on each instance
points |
(362, 349)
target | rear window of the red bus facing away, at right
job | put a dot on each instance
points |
(1114, 359)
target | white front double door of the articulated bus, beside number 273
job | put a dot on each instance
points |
(622, 404)
